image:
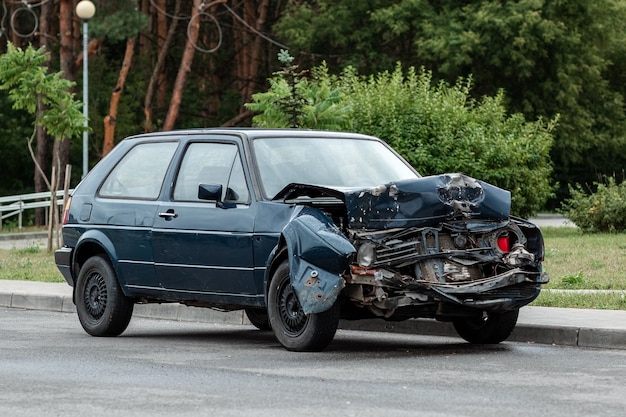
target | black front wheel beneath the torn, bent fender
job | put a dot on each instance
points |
(295, 330)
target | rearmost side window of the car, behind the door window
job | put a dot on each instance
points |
(140, 173)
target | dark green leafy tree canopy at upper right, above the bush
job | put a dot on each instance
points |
(551, 57)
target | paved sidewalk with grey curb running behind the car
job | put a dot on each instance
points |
(544, 325)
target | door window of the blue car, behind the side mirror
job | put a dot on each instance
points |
(212, 163)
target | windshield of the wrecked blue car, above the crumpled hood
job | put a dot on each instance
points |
(330, 162)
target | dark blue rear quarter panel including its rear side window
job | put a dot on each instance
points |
(122, 214)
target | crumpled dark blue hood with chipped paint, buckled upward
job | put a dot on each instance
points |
(419, 202)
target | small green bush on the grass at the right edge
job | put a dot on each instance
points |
(601, 211)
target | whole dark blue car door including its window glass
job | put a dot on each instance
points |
(203, 248)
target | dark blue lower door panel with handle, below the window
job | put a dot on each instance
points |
(205, 249)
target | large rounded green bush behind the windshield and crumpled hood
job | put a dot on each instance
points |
(439, 128)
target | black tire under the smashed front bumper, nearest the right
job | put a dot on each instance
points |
(490, 328)
